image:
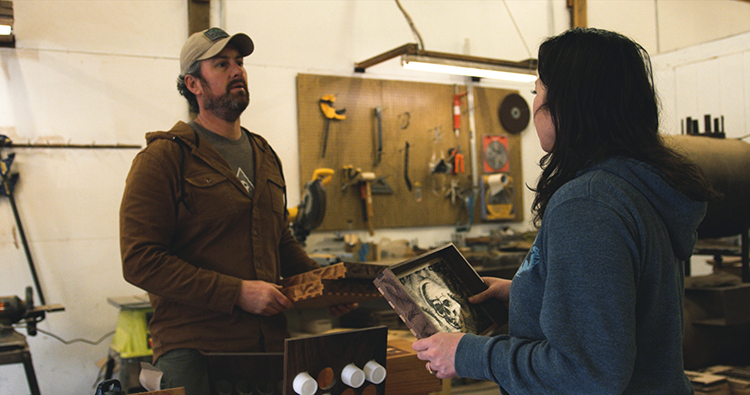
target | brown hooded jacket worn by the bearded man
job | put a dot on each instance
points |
(189, 232)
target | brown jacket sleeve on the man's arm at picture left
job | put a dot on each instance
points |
(147, 226)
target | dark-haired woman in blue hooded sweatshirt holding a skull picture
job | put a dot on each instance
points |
(596, 307)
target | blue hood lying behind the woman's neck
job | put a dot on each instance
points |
(680, 214)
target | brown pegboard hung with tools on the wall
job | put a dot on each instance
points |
(418, 113)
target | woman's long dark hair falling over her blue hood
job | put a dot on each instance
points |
(601, 97)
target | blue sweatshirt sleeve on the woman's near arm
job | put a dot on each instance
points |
(587, 273)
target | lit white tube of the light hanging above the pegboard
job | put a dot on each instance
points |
(467, 68)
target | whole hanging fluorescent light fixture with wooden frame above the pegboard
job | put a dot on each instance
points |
(415, 59)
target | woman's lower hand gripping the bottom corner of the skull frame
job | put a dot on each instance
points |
(439, 350)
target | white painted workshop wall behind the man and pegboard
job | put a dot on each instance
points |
(103, 71)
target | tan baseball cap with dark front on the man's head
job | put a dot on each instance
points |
(208, 43)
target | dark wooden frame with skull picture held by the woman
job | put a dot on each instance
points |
(430, 293)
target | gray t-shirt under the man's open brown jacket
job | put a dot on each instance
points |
(238, 154)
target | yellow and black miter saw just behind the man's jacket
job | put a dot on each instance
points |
(310, 212)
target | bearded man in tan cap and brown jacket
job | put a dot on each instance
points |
(203, 225)
